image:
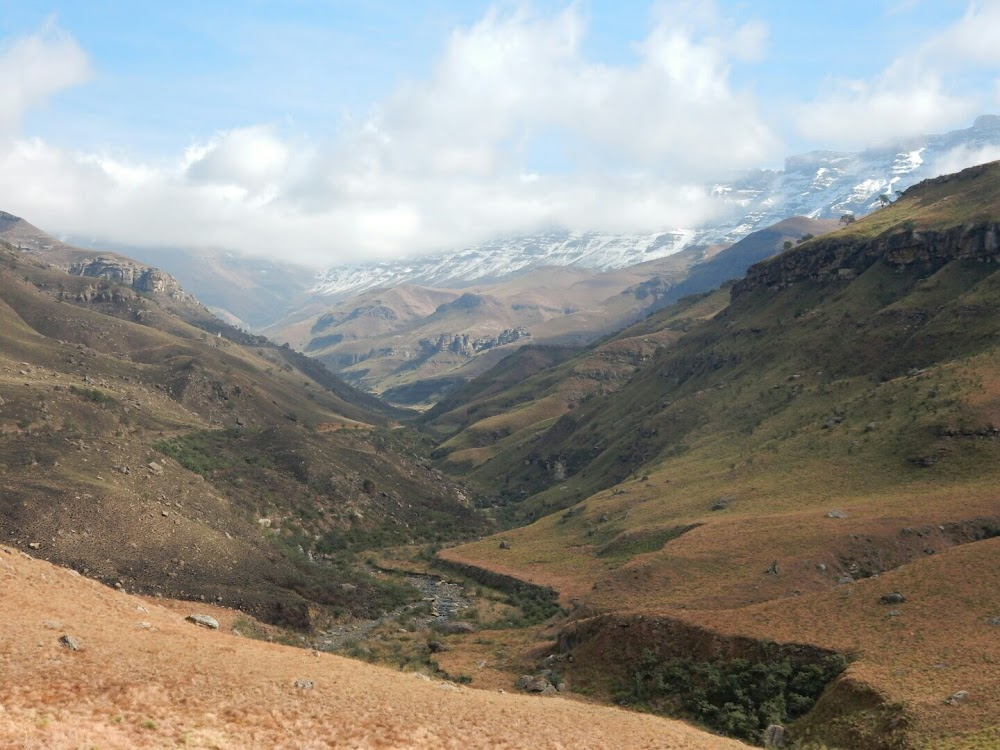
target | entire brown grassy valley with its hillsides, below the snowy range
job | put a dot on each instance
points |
(764, 506)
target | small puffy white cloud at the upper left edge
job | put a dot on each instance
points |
(33, 68)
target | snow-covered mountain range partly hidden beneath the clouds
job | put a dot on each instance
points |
(820, 184)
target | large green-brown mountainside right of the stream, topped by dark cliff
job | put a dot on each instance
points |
(796, 469)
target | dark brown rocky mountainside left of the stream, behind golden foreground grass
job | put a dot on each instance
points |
(149, 445)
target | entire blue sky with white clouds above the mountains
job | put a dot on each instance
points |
(331, 131)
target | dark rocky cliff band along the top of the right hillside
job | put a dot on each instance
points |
(844, 258)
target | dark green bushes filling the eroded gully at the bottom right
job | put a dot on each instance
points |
(739, 697)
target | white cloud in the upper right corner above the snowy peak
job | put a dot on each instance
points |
(921, 92)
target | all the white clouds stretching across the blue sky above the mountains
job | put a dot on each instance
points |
(514, 129)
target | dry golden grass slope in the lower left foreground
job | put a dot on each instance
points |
(171, 684)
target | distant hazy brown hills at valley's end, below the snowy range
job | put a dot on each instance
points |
(413, 344)
